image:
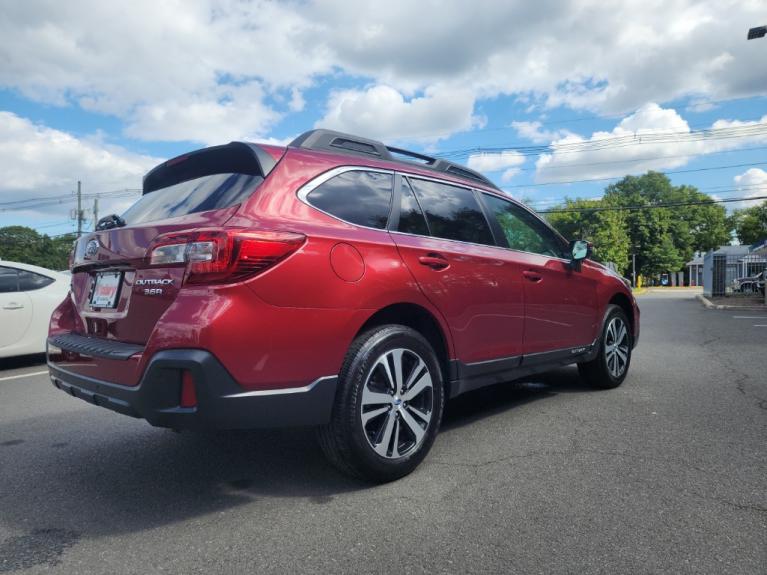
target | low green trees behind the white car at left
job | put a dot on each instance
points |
(25, 245)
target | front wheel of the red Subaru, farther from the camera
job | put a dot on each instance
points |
(601, 372)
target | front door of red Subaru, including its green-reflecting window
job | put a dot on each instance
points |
(559, 302)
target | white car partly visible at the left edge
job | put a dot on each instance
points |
(28, 296)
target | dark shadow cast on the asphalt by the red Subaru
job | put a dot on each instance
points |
(97, 475)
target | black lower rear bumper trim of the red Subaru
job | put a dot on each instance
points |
(221, 402)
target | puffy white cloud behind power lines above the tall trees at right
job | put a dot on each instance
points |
(652, 138)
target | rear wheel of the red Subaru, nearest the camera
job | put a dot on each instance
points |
(356, 448)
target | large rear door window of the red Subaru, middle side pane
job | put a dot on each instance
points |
(452, 212)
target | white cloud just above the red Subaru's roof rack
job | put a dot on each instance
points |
(382, 112)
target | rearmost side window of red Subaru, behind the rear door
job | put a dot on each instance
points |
(362, 198)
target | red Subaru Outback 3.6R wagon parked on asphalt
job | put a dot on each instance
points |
(335, 282)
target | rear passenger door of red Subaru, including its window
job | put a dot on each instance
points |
(447, 244)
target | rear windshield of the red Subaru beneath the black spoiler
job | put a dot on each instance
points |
(198, 195)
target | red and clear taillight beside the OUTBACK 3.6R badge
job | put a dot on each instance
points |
(214, 256)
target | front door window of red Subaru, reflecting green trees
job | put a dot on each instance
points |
(522, 230)
